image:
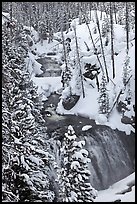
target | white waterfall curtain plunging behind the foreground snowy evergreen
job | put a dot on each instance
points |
(112, 153)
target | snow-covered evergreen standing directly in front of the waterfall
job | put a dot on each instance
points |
(75, 185)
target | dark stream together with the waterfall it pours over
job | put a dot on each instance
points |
(112, 152)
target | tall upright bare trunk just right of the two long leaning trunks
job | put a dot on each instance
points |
(112, 37)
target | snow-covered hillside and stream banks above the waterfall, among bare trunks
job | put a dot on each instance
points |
(88, 106)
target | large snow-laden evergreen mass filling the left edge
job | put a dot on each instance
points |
(25, 159)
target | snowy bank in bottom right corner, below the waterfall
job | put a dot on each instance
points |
(123, 190)
